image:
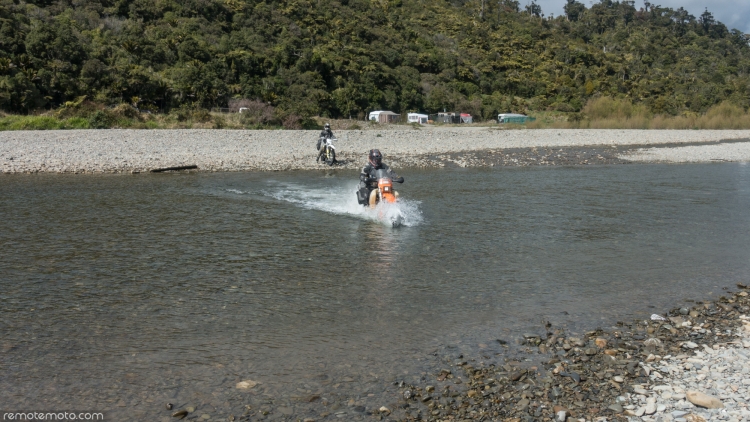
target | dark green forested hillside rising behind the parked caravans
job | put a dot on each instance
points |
(343, 58)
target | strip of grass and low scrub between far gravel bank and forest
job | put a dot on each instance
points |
(599, 113)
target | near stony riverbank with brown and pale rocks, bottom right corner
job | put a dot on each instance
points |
(690, 364)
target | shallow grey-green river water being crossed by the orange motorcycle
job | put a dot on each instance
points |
(122, 293)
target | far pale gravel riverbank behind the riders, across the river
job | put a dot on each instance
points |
(115, 151)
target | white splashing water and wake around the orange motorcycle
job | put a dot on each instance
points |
(342, 200)
